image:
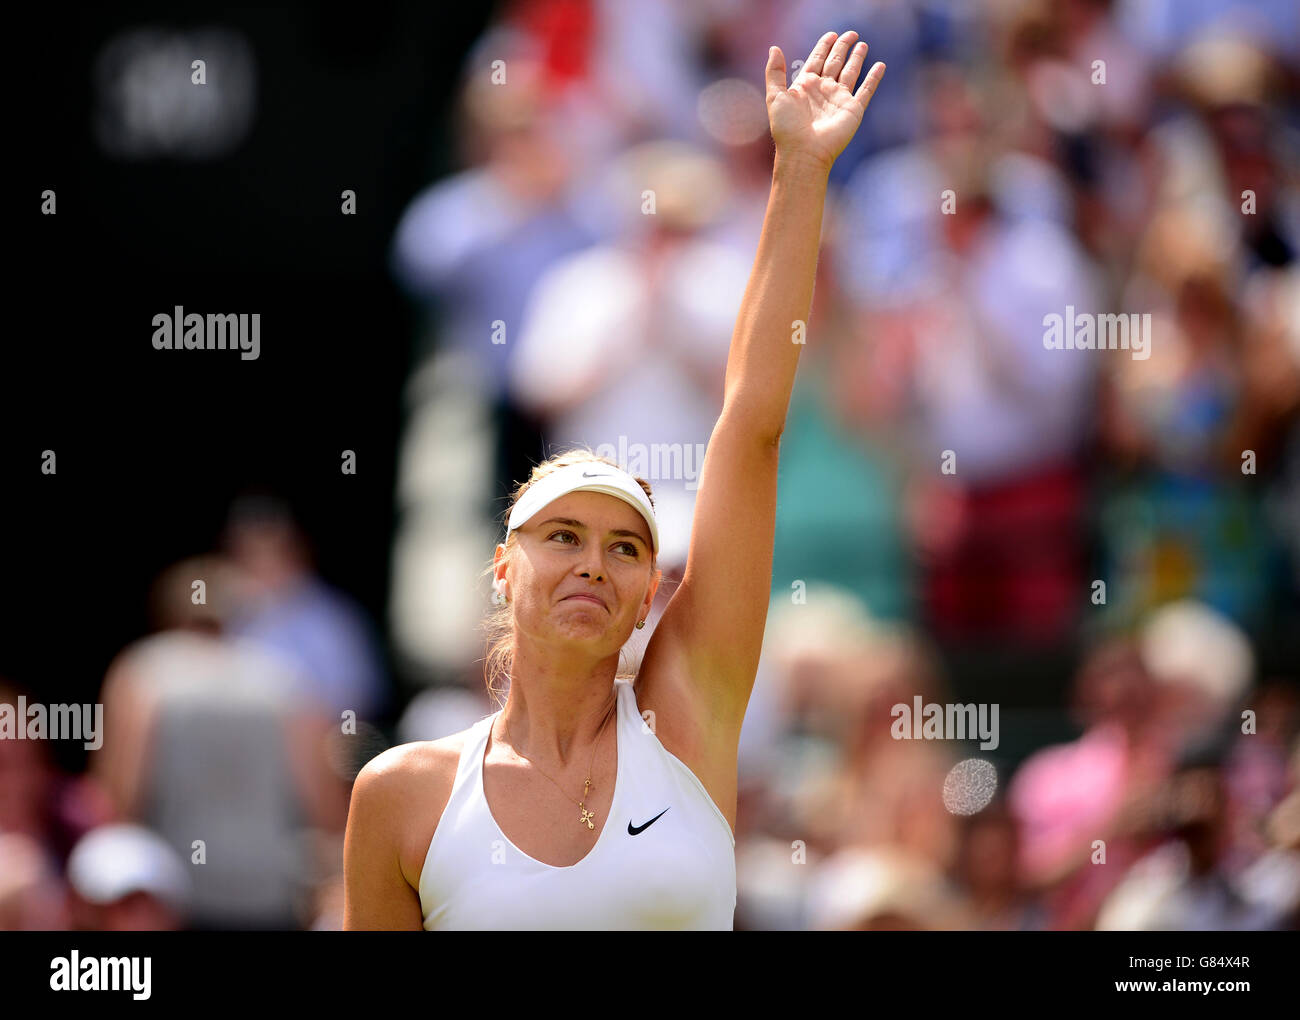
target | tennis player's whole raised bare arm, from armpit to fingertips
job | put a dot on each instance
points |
(713, 630)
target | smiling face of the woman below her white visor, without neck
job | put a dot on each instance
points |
(583, 544)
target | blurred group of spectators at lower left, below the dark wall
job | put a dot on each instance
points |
(231, 733)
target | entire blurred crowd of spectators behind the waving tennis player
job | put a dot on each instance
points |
(951, 489)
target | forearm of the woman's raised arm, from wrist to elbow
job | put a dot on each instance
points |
(773, 320)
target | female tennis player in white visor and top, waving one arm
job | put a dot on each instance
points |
(590, 801)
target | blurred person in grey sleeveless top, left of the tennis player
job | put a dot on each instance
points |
(216, 740)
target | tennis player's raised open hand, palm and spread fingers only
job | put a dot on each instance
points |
(818, 115)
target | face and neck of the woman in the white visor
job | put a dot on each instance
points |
(569, 648)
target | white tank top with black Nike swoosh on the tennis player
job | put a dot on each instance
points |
(666, 857)
